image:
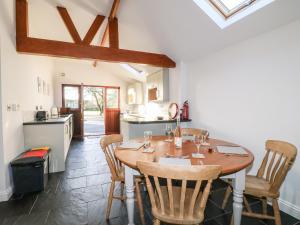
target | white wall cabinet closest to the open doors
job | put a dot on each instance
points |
(135, 93)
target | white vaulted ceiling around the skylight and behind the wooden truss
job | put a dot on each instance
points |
(177, 28)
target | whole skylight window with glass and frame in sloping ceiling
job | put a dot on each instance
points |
(229, 7)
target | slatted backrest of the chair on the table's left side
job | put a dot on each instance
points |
(108, 144)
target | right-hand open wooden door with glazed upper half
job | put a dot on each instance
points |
(112, 110)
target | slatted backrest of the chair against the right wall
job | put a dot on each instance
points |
(279, 158)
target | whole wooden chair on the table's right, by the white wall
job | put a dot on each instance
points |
(266, 184)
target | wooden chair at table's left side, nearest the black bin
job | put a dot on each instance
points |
(108, 144)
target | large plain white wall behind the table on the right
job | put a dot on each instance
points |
(250, 92)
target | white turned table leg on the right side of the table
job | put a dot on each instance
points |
(238, 191)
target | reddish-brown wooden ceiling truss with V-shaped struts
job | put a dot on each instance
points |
(82, 49)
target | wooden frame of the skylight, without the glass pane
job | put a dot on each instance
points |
(221, 7)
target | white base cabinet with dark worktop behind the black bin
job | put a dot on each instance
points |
(55, 133)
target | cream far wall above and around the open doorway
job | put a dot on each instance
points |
(77, 72)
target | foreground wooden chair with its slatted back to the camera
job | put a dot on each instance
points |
(178, 204)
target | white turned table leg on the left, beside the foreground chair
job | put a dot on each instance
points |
(129, 183)
